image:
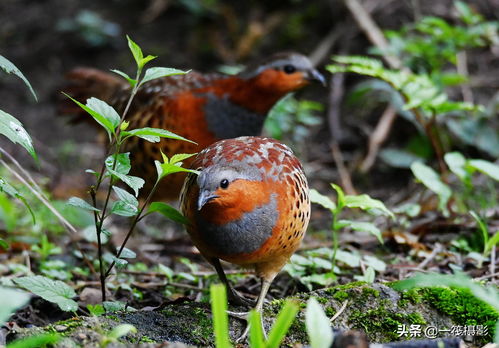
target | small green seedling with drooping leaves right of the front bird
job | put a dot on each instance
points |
(363, 202)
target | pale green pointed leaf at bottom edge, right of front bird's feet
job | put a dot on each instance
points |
(318, 325)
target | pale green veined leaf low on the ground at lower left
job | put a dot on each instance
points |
(53, 291)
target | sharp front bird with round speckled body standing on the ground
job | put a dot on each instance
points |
(248, 205)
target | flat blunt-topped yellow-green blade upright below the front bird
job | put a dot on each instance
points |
(220, 320)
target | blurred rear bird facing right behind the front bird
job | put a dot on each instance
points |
(201, 107)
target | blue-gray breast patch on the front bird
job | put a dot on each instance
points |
(244, 235)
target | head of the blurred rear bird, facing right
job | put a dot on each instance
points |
(283, 73)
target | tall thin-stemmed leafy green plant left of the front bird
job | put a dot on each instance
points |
(117, 166)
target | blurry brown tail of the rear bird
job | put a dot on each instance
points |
(84, 83)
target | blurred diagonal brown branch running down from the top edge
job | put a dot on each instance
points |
(372, 31)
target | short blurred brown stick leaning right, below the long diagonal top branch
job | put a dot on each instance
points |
(378, 137)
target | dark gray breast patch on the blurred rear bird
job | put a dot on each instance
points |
(227, 120)
